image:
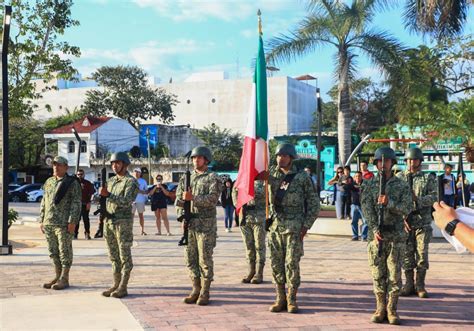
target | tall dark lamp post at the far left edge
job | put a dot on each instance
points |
(6, 248)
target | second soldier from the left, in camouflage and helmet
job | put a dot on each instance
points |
(121, 191)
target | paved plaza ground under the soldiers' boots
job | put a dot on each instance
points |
(336, 291)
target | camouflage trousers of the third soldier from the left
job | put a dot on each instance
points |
(198, 254)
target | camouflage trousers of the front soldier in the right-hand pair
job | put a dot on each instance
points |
(386, 269)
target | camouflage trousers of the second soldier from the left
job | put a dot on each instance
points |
(119, 239)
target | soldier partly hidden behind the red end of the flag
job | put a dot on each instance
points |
(252, 227)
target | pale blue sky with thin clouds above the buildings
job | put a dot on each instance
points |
(174, 38)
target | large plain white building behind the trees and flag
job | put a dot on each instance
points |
(206, 99)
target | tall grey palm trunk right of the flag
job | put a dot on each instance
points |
(344, 117)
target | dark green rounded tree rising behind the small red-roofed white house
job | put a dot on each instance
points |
(126, 94)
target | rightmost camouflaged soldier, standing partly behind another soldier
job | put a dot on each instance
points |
(418, 223)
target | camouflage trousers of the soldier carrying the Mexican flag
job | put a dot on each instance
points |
(286, 250)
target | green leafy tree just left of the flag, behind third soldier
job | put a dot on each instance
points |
(225, 145)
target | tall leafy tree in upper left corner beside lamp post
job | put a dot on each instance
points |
(37, 54)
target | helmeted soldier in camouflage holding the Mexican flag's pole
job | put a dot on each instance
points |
(294, 206)
